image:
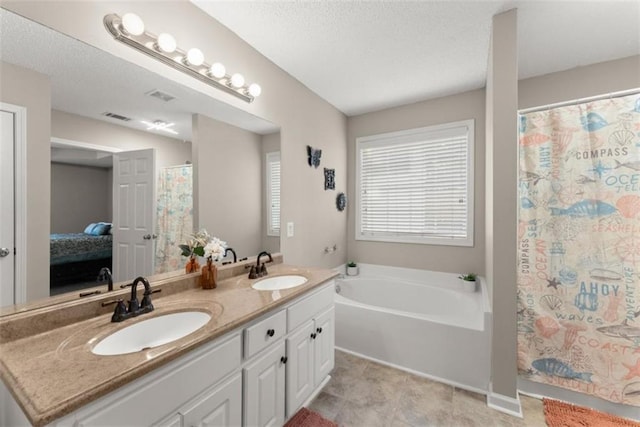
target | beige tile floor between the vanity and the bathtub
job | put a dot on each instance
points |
(366, 394)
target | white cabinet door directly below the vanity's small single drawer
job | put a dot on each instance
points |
(264, 389)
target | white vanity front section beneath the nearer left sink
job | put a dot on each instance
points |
(182, 393)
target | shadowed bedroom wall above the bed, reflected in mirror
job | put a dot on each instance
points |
(80, 195)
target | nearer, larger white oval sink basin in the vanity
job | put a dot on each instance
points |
(151, 333)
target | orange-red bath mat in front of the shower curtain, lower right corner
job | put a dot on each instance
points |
(561, 414)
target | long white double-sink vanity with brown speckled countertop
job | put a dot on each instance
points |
(250, 352)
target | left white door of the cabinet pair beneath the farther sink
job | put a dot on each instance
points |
(300, 369)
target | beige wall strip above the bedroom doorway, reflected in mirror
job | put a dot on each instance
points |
(169, 151)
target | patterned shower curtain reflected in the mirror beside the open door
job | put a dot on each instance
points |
(174, 216)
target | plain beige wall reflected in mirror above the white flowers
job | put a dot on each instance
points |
(229, 173)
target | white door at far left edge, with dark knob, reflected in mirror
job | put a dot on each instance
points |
(7, 219)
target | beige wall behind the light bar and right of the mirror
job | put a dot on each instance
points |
(304, 118)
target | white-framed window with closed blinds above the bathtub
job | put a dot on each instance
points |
(416, 186)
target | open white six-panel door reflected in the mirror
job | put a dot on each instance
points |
(134, 211)
